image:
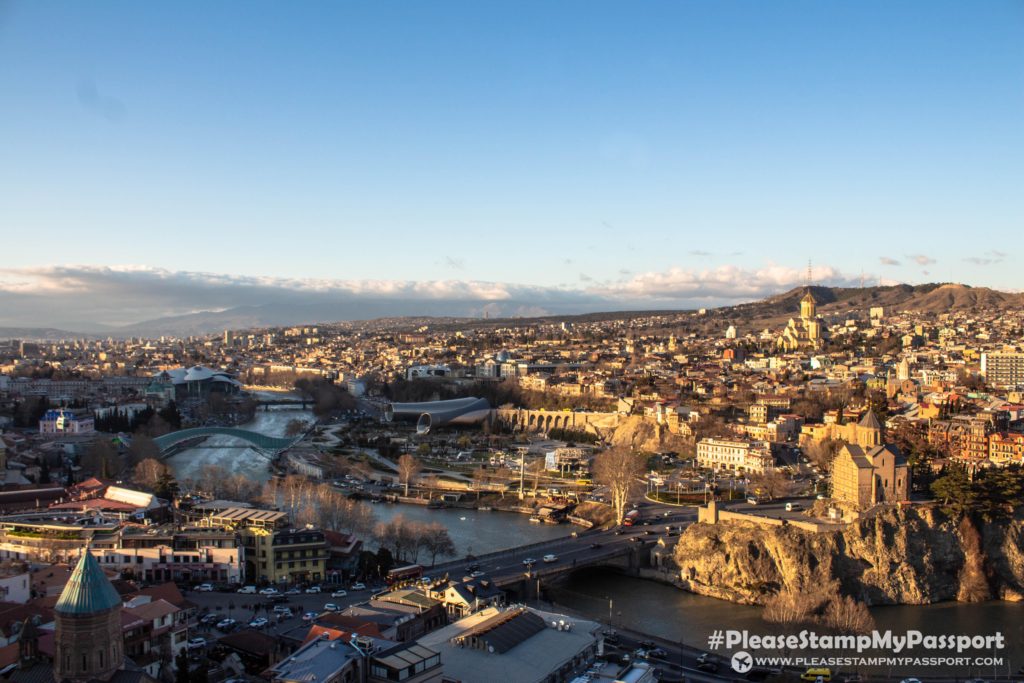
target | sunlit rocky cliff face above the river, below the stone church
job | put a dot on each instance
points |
(915, 556)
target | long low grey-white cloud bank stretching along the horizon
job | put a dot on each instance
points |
(90, 298)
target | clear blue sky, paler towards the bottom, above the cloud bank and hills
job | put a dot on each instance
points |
(621, 150)
